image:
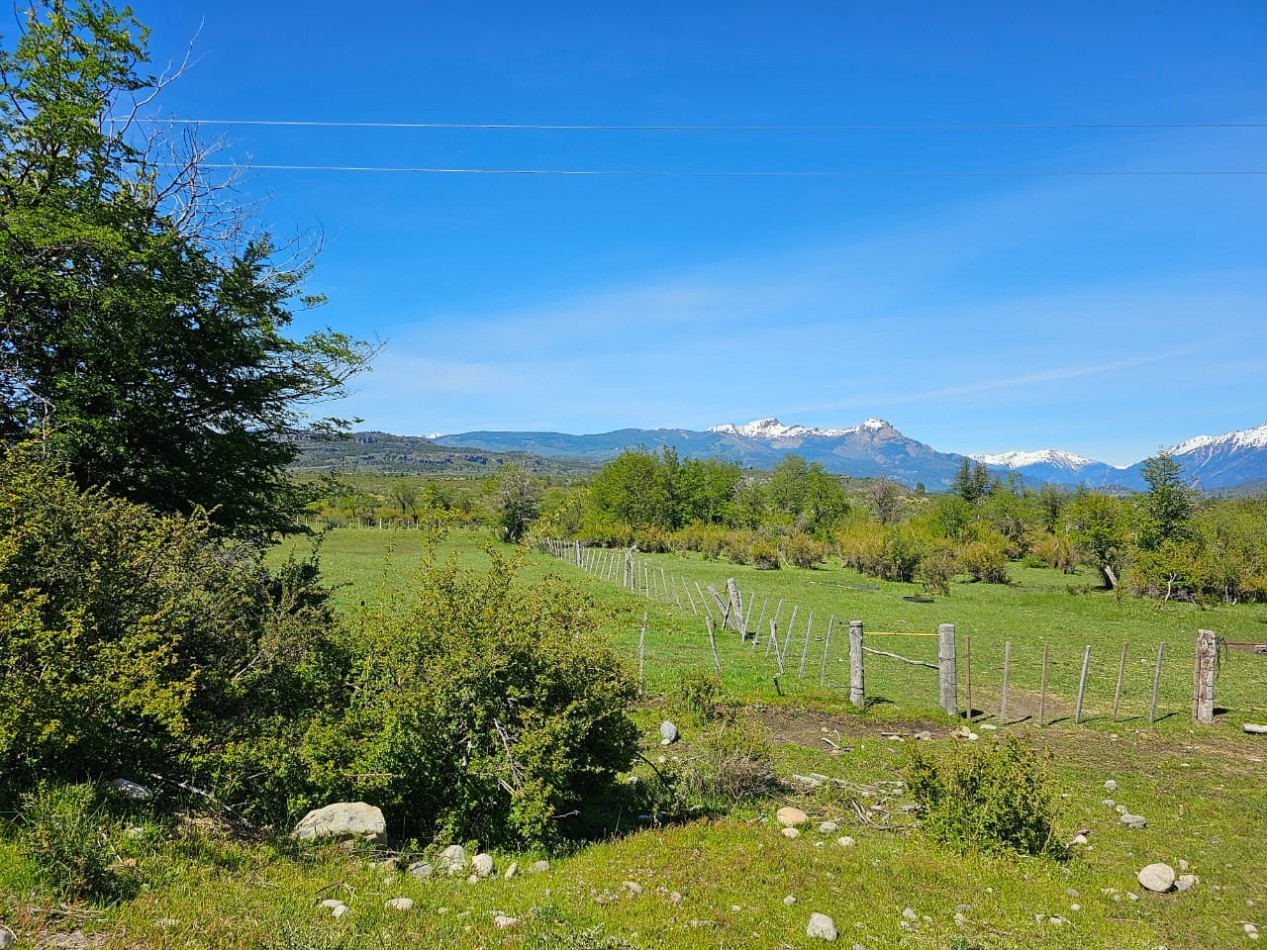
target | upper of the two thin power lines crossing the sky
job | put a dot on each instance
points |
(581, 127)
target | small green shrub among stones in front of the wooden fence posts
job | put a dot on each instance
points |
(986, 799)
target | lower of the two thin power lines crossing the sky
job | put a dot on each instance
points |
(779, 174)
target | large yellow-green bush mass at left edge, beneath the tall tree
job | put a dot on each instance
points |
(131, 642)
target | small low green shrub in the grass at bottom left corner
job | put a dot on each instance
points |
(67, 835)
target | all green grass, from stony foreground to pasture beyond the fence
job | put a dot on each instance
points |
(722, 881)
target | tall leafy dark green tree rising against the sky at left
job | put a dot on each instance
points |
(143, 319)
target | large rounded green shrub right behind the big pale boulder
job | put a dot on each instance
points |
(485, 710)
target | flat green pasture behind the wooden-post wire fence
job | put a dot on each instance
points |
(1067, 614)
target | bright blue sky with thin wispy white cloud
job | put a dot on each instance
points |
(1103, 315)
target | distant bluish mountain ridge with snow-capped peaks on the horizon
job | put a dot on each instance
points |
(876, 448)
